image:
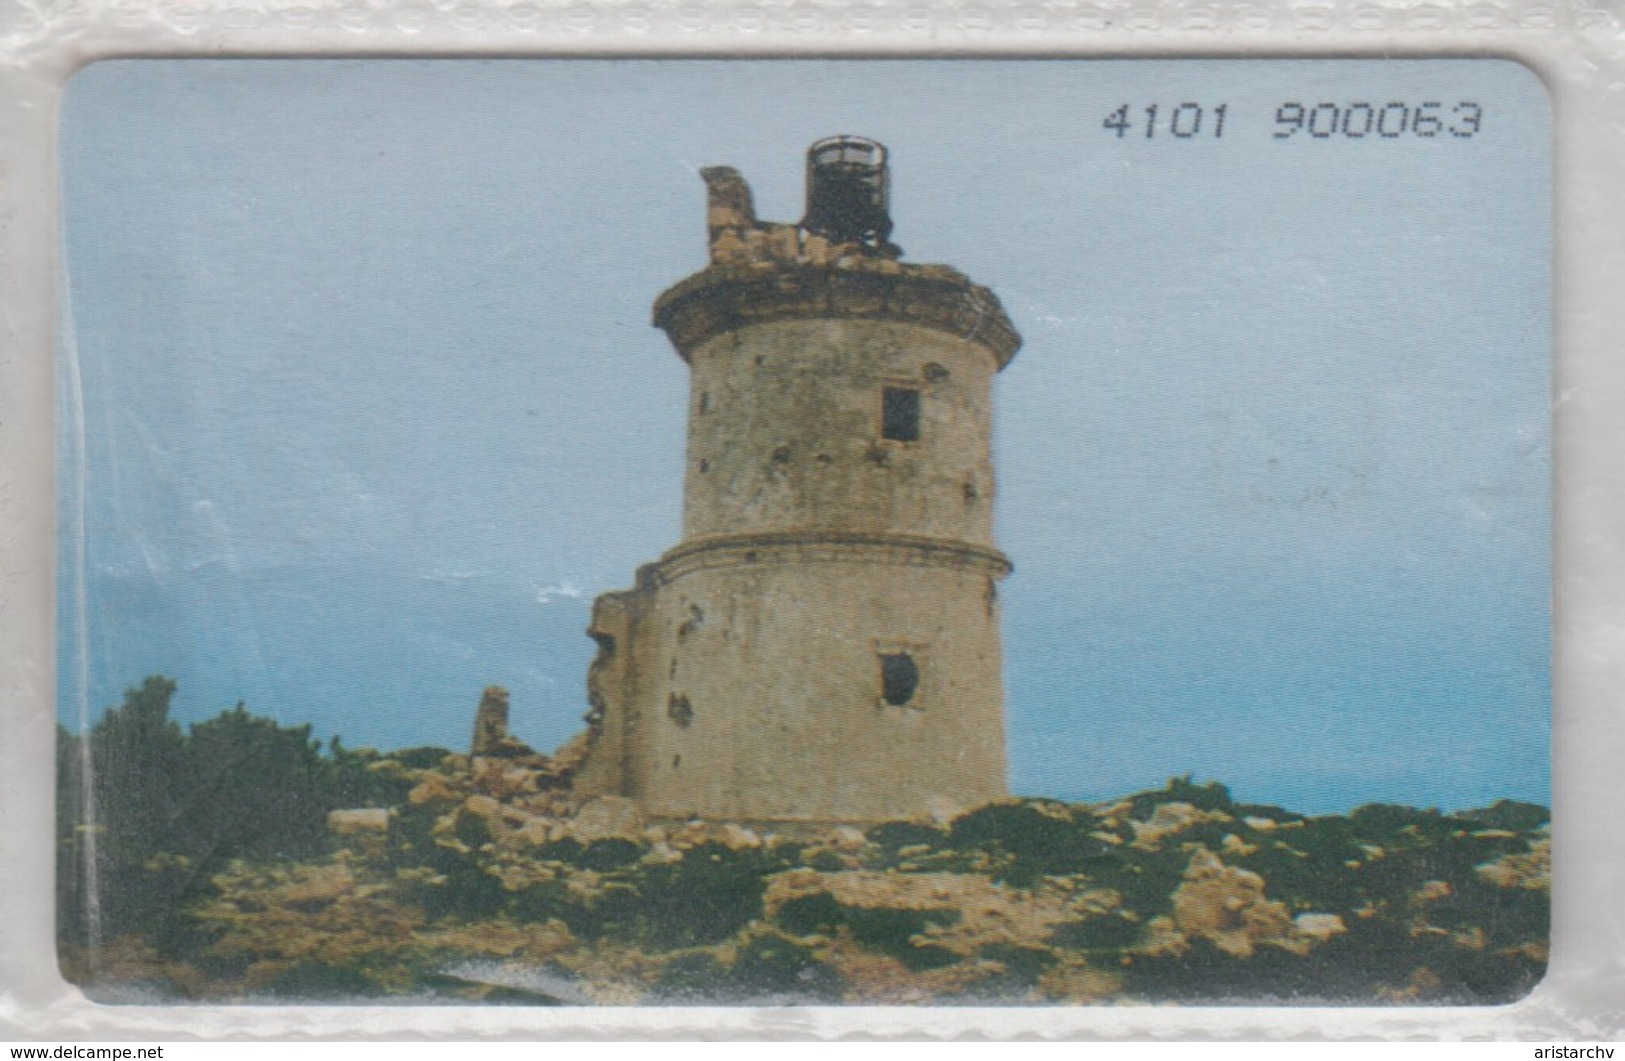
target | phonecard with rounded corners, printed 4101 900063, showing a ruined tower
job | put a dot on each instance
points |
(805, 532)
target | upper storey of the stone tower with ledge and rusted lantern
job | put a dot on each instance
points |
(836, 392)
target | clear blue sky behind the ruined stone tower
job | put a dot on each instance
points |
(362, 405)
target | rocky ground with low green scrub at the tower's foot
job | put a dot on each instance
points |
(483, 880)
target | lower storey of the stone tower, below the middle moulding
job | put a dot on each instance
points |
(817, 680)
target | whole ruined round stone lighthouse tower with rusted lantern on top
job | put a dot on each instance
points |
(825, 641)
